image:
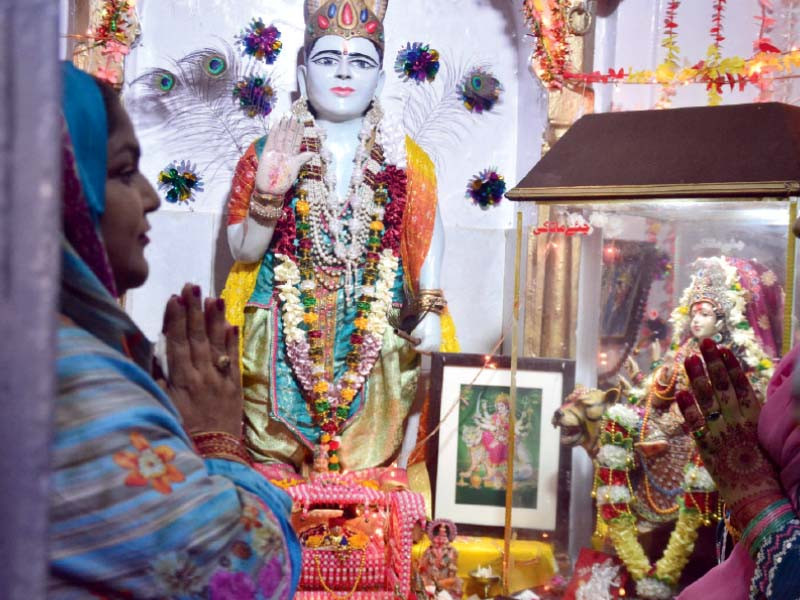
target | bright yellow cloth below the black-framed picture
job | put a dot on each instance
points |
(532, 563)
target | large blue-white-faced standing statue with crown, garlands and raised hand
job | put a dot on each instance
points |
(334, 226)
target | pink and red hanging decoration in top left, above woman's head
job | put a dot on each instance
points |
(114, 30)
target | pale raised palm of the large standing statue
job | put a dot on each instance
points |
(281, 160)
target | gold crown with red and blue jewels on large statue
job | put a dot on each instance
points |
(345, 18)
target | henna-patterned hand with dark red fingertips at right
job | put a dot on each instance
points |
(724, 423)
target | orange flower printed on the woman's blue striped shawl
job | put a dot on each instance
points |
(149, 466)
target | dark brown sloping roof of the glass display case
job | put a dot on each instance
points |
(723, 151)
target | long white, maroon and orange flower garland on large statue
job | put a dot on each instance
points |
(330, 401)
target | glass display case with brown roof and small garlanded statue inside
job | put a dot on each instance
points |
(652, 231)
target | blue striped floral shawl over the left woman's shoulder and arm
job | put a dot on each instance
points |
(135, 512)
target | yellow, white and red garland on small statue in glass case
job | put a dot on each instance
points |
(614, 493)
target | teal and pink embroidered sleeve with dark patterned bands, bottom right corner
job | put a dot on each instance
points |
(776, 550)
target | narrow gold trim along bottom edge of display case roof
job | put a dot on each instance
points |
(672, 190)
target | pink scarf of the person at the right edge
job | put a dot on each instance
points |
(779, 434)
